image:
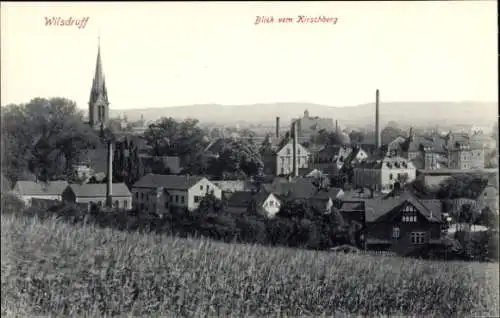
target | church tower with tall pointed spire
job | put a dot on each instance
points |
(98, 102)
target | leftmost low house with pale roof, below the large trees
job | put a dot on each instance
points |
(29, 190)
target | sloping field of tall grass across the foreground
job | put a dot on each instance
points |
(55, 269)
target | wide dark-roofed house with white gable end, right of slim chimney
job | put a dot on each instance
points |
(164, 193)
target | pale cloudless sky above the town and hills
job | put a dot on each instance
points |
(174, 53)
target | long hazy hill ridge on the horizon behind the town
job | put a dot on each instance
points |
(416, 113)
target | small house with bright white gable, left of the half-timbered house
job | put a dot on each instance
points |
(263, 202)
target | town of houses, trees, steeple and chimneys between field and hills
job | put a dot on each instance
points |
(409, 193)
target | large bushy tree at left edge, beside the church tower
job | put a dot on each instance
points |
(44, 137)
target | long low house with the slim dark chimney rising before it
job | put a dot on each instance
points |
(88, 194)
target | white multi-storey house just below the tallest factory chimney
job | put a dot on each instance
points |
(381, 174)
